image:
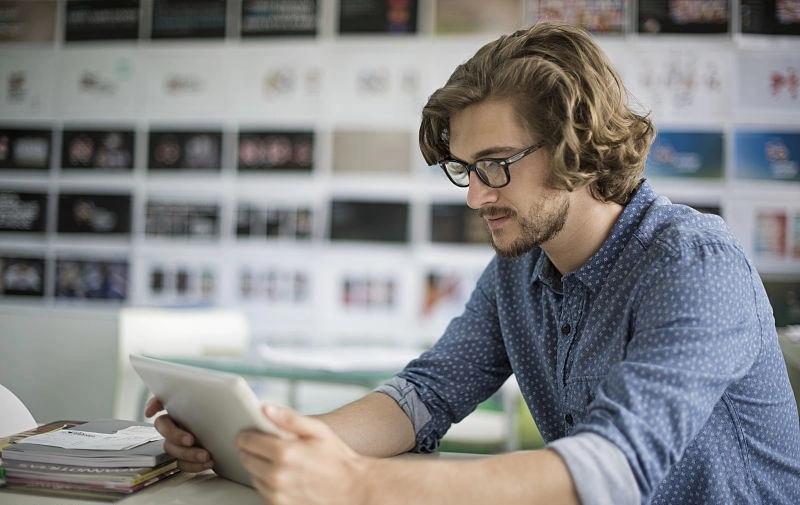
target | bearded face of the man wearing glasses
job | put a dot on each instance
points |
(526, 213)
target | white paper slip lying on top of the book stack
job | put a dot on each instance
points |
(124, 439)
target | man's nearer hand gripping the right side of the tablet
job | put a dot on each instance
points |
(309, 465)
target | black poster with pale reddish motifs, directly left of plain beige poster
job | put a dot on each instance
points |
(276, 150)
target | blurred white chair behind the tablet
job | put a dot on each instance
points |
(171, 332)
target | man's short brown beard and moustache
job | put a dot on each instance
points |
(540, 225)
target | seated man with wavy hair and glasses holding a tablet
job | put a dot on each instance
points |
(638, 331)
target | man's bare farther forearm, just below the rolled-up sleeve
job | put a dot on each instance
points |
(374, 425)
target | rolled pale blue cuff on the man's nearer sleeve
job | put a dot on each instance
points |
(600, 470)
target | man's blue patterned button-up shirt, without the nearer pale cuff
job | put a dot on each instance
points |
(663, 343)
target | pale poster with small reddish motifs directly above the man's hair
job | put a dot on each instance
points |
(598, 17)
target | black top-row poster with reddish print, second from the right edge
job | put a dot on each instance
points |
(684, 16)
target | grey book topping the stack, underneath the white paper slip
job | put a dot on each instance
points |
(148, 454)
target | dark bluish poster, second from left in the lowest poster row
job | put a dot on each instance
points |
(91, 279)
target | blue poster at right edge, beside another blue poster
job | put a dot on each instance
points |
(770, 155)
